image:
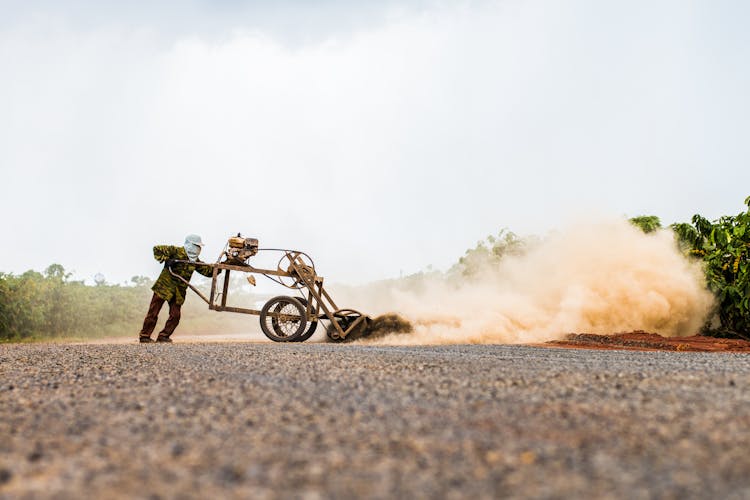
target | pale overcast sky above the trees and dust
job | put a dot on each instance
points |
(380, 137)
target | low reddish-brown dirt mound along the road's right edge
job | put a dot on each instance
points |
(643, 341)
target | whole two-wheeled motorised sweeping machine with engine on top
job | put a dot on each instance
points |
(284, 318)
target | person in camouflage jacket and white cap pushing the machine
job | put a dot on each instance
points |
(171, 290)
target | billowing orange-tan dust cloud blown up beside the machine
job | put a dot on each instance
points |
(599, 277)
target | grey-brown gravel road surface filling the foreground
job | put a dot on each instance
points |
(261, 420)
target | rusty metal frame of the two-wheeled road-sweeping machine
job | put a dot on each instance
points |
(304, 277)
